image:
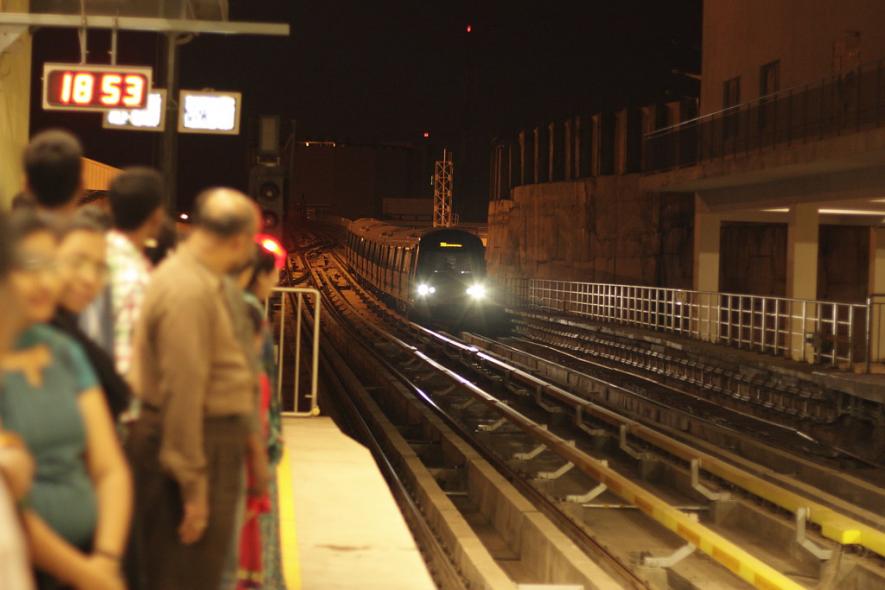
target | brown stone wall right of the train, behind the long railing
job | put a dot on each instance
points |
(600, 229)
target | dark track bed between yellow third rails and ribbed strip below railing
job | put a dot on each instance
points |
(757, 445)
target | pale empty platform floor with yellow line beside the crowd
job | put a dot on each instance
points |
(340, 525)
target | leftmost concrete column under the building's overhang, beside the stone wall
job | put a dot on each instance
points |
(707, 245)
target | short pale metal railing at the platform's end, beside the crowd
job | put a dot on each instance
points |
(303, 400)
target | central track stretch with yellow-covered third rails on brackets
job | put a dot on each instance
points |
(641, 497)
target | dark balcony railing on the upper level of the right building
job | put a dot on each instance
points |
(852, 101)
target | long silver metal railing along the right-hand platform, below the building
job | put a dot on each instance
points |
(839, 334)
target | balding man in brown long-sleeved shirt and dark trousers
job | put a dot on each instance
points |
(198, 394)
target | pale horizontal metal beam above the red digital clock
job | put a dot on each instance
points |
(145, 24)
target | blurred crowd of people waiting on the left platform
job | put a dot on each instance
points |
(139, 425)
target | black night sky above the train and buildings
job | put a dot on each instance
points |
(386, 71)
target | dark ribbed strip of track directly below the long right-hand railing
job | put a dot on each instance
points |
(829, 419)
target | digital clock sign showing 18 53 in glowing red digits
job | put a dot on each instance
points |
(81, 87)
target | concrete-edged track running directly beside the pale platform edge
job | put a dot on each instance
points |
(469, 523)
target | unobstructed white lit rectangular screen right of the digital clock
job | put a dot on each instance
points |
(209, 112)
